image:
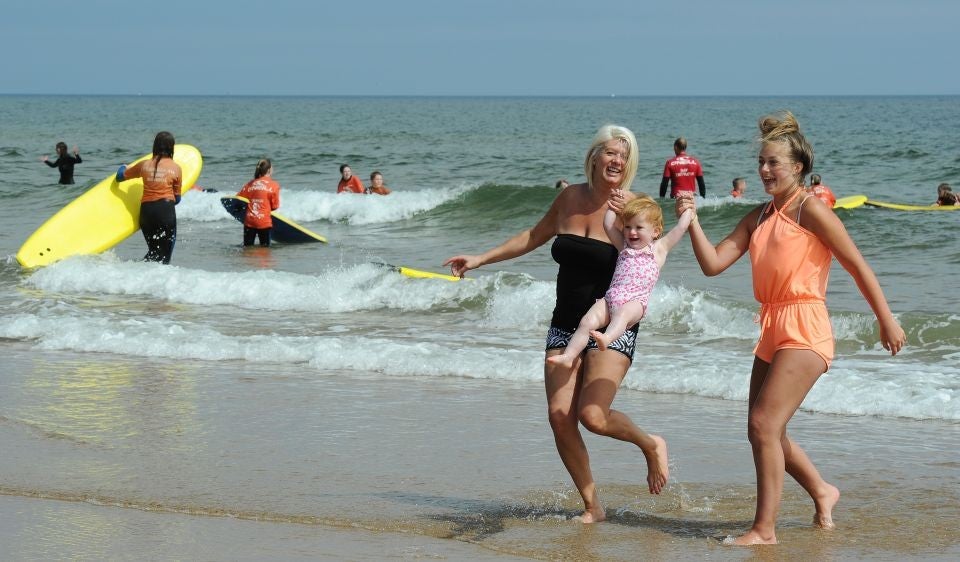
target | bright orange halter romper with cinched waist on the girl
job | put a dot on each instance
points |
(790, 271)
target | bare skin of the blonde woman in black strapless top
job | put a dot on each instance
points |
(583, 392)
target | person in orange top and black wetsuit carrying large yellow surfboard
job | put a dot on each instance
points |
(162, 183)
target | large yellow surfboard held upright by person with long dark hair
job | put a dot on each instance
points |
(101, 218)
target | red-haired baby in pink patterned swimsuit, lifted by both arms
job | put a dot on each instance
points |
(642, 255)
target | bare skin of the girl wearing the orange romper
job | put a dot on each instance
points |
(778, 388)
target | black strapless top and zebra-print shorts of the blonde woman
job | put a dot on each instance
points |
(586, 269)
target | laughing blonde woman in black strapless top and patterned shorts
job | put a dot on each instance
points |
(583, 392)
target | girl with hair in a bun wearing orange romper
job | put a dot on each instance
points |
(792, 239)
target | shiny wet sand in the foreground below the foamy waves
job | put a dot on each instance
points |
(227, 462)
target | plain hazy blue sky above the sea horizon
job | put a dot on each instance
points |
(481, 47)
